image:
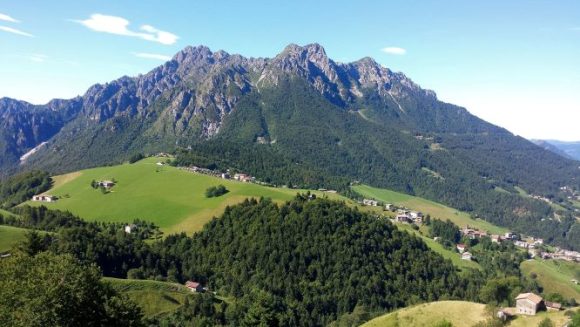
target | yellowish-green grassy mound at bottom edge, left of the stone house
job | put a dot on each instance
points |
(459, 313)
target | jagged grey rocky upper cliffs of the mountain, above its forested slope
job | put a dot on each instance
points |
(192, 95)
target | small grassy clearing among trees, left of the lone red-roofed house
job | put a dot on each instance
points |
(152, 296)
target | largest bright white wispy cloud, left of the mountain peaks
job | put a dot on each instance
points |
(120, 26)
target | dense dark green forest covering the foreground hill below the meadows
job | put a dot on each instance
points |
(303, 263)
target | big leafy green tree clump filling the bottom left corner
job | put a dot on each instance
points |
(55, 290)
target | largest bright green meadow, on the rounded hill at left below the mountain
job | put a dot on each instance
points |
(174, 199)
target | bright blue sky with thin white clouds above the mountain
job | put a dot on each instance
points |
(514, 63)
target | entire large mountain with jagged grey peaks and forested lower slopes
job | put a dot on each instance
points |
(299, 118)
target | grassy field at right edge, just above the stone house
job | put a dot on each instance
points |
(554, 276)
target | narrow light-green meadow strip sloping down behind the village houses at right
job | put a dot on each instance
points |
(436, 210)
